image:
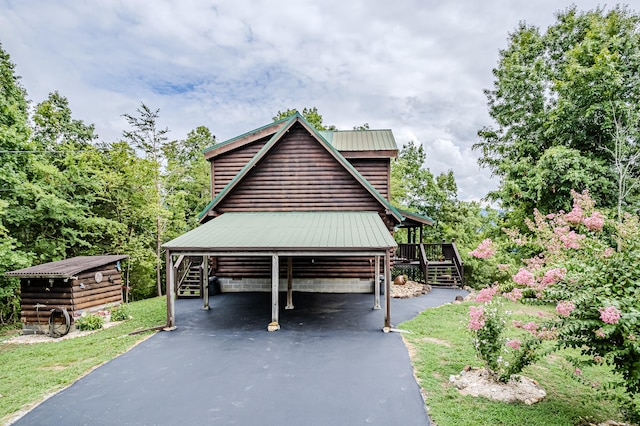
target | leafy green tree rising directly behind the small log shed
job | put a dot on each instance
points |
(59, 214)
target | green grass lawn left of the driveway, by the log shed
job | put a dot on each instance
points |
(29, 372)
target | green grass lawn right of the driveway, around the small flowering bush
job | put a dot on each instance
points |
(441, 346)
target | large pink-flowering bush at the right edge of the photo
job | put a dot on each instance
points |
(586, 265)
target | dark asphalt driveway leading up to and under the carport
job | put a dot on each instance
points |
(330, 364)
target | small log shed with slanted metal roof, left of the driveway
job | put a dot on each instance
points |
(84, 283)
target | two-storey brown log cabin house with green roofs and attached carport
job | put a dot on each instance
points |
(294, 209)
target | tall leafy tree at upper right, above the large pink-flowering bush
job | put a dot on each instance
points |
(551, 103)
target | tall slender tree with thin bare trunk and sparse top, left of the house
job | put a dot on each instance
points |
(148, 137)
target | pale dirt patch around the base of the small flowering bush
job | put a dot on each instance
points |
(478, 382)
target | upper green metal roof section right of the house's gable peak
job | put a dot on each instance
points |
(361, 140)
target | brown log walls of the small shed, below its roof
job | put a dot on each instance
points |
(74, 295)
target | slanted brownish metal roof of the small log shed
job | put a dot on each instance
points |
(66, 268)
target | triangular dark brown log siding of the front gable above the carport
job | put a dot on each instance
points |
(298, 174)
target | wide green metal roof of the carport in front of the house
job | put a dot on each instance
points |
(261, 231)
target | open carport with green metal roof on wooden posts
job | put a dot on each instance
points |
(284, 235)
